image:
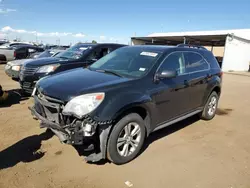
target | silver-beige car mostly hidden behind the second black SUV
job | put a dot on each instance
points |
(12, 68)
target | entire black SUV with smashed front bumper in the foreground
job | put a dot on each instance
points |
(114, 104)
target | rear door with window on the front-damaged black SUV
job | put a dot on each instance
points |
(199, 74)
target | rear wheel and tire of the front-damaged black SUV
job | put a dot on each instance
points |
(208, 113)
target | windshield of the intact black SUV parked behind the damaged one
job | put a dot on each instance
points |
(75, 52)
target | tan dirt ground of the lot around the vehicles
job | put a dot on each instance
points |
(193, 153)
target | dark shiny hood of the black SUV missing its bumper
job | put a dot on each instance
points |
(68, 84)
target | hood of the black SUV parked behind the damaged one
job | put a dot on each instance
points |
(44, 61)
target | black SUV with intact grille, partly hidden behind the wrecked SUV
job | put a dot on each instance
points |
(80, 55)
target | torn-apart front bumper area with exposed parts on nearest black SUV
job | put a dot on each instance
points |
(70, 130)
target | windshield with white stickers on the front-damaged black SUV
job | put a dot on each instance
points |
(128, 61)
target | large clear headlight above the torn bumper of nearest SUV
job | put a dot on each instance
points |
(84, 104)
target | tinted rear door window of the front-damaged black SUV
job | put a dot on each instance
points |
(195, 62)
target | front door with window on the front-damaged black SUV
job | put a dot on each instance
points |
(171, 96)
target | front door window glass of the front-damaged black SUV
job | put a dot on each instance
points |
(174, 62)
